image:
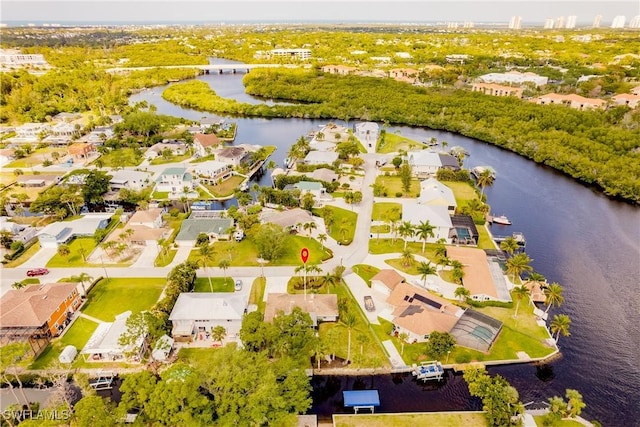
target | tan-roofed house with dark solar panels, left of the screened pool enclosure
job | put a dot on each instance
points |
(418, 313)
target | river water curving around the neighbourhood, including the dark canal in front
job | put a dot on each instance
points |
(575, 236)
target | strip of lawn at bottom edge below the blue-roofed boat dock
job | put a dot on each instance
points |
(440, 419)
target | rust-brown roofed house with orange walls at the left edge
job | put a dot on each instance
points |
(36, 313)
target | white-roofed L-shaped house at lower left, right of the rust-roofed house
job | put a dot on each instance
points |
(104, 344)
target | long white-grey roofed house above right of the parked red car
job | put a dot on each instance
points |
(60, 233)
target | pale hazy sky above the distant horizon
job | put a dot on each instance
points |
(532, 12)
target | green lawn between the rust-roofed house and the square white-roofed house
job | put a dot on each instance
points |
(111, 297)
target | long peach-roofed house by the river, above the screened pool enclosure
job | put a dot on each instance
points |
(483, 277)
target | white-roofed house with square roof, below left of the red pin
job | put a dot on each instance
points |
(196, 314)
